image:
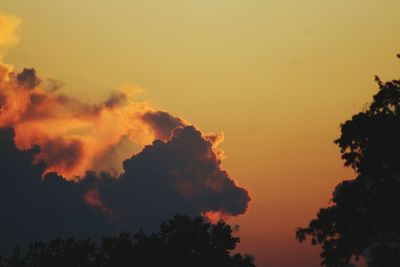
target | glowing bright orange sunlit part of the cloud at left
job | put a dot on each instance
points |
(54, 121)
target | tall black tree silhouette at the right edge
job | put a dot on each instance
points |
(363, 219)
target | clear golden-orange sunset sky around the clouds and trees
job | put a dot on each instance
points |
(276, 77)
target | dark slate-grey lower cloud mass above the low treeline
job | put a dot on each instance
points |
(182, 175)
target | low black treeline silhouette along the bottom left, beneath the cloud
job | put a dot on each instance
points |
(182, 241)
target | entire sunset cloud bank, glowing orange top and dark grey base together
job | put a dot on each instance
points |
(62, 170)
